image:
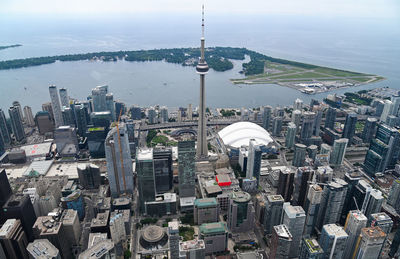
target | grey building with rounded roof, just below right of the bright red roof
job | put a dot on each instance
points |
(241, 212)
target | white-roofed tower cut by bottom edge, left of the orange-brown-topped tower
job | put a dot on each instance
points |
(333, 241)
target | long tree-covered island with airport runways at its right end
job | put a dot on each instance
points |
(261, 69)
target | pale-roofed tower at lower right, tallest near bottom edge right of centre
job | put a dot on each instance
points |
(294, 218)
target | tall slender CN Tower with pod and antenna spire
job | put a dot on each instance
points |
(202, 69)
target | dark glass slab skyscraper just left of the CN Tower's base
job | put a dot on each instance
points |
(187, 168)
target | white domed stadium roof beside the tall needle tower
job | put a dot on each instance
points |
(240, 133)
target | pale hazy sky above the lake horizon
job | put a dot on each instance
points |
(381, 9)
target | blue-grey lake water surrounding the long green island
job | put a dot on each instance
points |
(369, 46)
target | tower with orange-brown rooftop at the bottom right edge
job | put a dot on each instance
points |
(370, 243)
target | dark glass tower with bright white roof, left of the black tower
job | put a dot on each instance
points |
(145, 175)
